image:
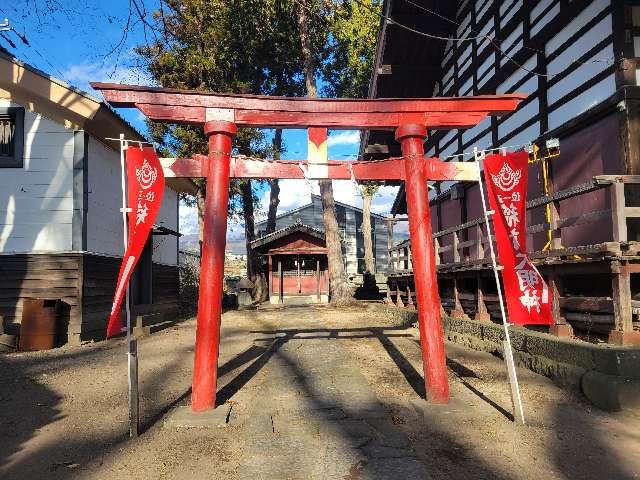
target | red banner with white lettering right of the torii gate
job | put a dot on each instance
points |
(528, 300)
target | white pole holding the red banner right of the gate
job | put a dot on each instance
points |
(516, 400)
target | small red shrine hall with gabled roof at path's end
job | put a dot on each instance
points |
(296, 264)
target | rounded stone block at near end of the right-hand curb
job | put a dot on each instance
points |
(611, 393)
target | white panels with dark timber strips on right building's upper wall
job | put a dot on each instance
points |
(567, 32)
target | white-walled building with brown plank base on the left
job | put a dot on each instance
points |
(61, 234)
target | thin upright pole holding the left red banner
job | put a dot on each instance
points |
(132, 347)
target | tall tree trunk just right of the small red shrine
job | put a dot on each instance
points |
(339, 289)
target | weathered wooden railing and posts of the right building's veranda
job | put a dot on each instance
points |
(464, 248)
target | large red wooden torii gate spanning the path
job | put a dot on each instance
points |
(222, 114)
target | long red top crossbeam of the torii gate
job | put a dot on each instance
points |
(190, 106)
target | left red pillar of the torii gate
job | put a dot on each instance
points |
(205, 370)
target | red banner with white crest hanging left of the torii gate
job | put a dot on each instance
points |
(145, 187)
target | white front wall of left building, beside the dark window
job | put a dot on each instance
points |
(36, 201)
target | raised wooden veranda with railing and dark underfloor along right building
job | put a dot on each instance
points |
(593, 286)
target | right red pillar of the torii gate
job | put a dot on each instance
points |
(411, 137)
